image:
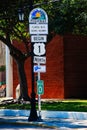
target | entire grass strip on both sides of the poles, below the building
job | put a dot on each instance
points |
(63, 105)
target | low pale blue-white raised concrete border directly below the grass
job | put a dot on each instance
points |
(46, 114)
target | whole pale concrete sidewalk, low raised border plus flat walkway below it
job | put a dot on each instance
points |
(60, 120)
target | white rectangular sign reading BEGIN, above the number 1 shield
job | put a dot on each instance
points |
(38, 38)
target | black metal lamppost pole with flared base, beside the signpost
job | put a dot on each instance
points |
(33, 112)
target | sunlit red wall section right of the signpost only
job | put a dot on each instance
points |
(54, 77)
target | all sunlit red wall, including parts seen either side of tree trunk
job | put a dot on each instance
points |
(54, 76)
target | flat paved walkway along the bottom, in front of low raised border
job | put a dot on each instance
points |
(52, 123)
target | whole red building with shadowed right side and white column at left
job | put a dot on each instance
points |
(66, 69)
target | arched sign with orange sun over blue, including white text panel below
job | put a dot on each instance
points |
(38, 22)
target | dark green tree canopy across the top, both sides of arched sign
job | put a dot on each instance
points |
(64, 16)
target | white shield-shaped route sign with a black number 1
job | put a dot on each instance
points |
(39, 49)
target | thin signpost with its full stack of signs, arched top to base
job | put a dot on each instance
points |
(38, 29)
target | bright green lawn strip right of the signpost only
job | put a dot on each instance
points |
(66, 106)
